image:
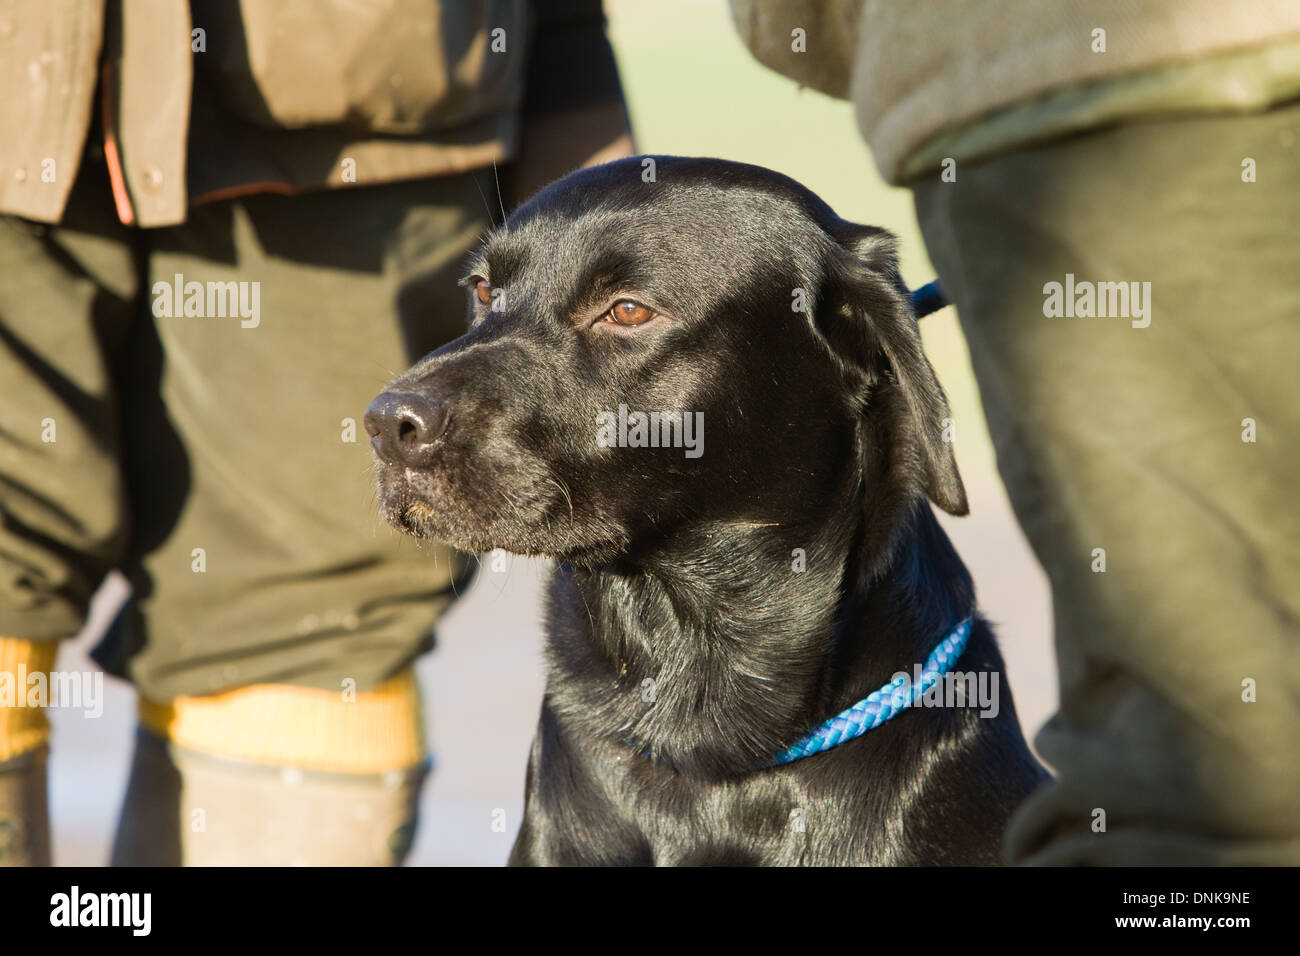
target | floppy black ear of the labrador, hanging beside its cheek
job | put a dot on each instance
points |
(868, 319)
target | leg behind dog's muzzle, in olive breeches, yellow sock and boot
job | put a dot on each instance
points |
(275, 582)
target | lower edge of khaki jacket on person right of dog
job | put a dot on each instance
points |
(922, 70)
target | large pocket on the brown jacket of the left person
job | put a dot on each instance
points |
(388, 67)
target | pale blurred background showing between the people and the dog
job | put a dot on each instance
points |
(692, 90)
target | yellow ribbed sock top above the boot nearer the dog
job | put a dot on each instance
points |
(300, 726)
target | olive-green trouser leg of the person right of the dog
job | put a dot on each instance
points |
(1154, 471)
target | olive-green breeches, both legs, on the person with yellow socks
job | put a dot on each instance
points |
(211, 443)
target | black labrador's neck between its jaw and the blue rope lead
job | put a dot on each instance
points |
(739, 638)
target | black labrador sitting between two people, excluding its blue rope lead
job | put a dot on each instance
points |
(714, 603)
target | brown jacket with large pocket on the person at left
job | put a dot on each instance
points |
(215, 98)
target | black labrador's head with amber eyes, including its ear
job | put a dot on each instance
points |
(657, 345)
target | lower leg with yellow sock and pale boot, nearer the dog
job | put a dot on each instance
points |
(276, 776)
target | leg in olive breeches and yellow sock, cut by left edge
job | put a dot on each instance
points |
(66, 308)
